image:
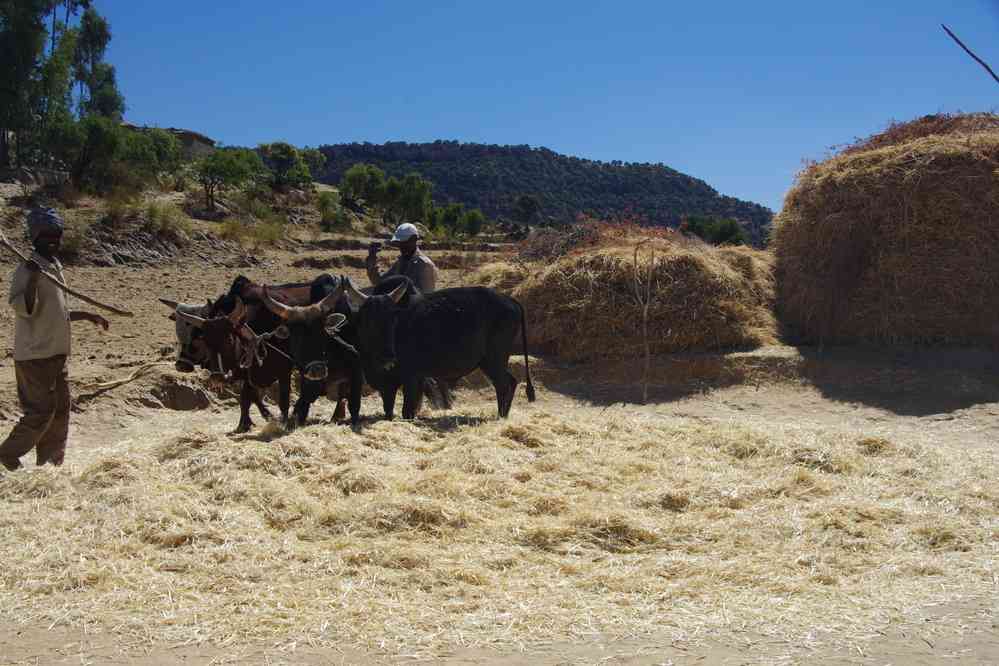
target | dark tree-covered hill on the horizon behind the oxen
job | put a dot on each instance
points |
(492, 177)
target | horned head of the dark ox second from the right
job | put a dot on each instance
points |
(310, 330)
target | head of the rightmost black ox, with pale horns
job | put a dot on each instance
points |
(376, 319)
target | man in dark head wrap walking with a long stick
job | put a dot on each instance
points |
(41, 347)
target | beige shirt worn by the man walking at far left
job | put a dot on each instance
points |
(44, 332)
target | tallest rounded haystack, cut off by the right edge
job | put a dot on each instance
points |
(898, 242)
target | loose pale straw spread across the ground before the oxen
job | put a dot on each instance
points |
(561, 523)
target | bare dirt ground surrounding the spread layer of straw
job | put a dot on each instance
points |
(943, 400)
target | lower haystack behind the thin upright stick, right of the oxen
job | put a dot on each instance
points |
(583, 307)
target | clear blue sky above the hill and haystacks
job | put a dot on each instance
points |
(734, 93)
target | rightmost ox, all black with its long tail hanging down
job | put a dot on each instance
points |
(445, 334)
